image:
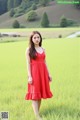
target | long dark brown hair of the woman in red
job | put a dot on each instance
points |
(32, 51)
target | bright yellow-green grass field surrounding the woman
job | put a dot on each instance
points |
(63, 59)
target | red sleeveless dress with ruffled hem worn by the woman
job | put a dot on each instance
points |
(40, 87)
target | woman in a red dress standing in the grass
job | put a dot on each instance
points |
(38, 74)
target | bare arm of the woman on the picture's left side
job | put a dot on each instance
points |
(28, 66)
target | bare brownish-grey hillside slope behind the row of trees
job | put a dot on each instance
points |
(54, 12)
